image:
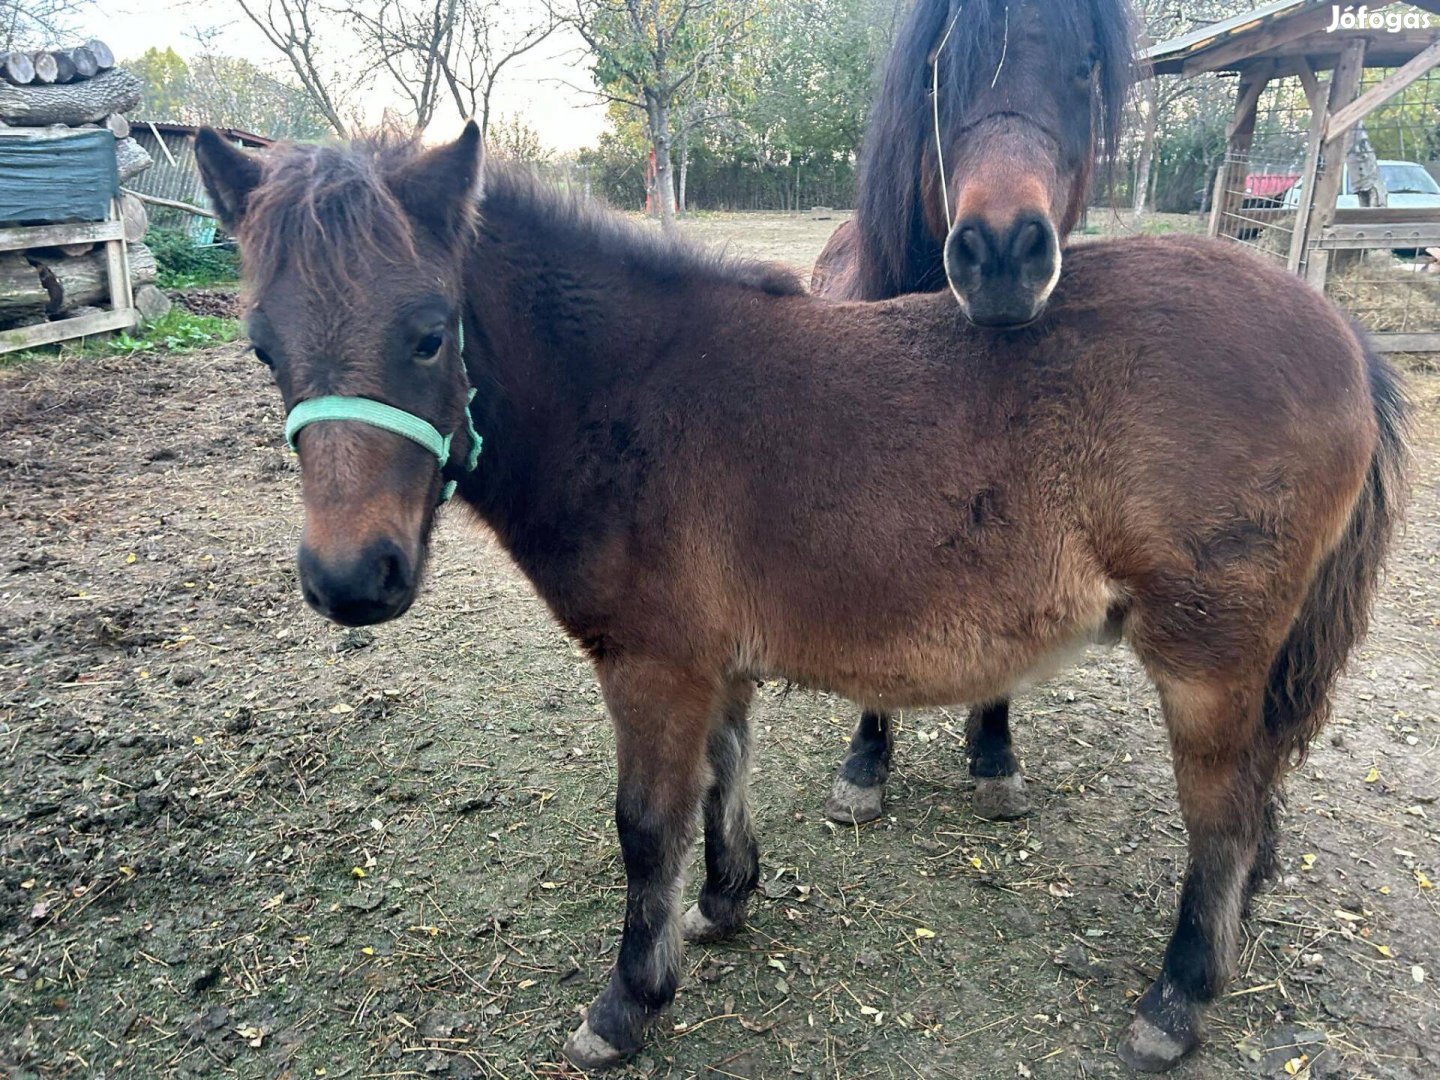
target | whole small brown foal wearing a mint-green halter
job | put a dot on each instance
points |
(714, 479)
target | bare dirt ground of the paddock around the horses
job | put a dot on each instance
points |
(240, 842)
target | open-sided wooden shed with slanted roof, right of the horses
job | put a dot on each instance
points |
(1310, 76)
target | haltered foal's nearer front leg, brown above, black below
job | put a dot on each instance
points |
(662, 718)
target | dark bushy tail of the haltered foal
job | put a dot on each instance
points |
(1336, 614)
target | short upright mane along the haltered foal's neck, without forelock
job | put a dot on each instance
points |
(549, 217)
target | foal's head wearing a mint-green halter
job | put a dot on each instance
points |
(354, 270)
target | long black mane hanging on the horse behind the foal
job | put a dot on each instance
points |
(896, 248)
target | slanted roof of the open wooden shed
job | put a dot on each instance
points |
(1290, 31)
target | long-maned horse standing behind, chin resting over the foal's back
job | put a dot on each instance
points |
(1016, 97)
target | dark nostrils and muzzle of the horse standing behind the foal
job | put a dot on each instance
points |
(1003, 277)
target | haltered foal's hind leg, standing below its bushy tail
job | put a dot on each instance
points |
(1226, 771)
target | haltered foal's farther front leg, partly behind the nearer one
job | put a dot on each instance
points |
(732, 855)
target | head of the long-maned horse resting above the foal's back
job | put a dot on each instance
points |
(1020, 93)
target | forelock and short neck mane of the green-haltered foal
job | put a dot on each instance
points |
(330, 208)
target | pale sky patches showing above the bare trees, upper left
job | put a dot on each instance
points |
(532, 87)
